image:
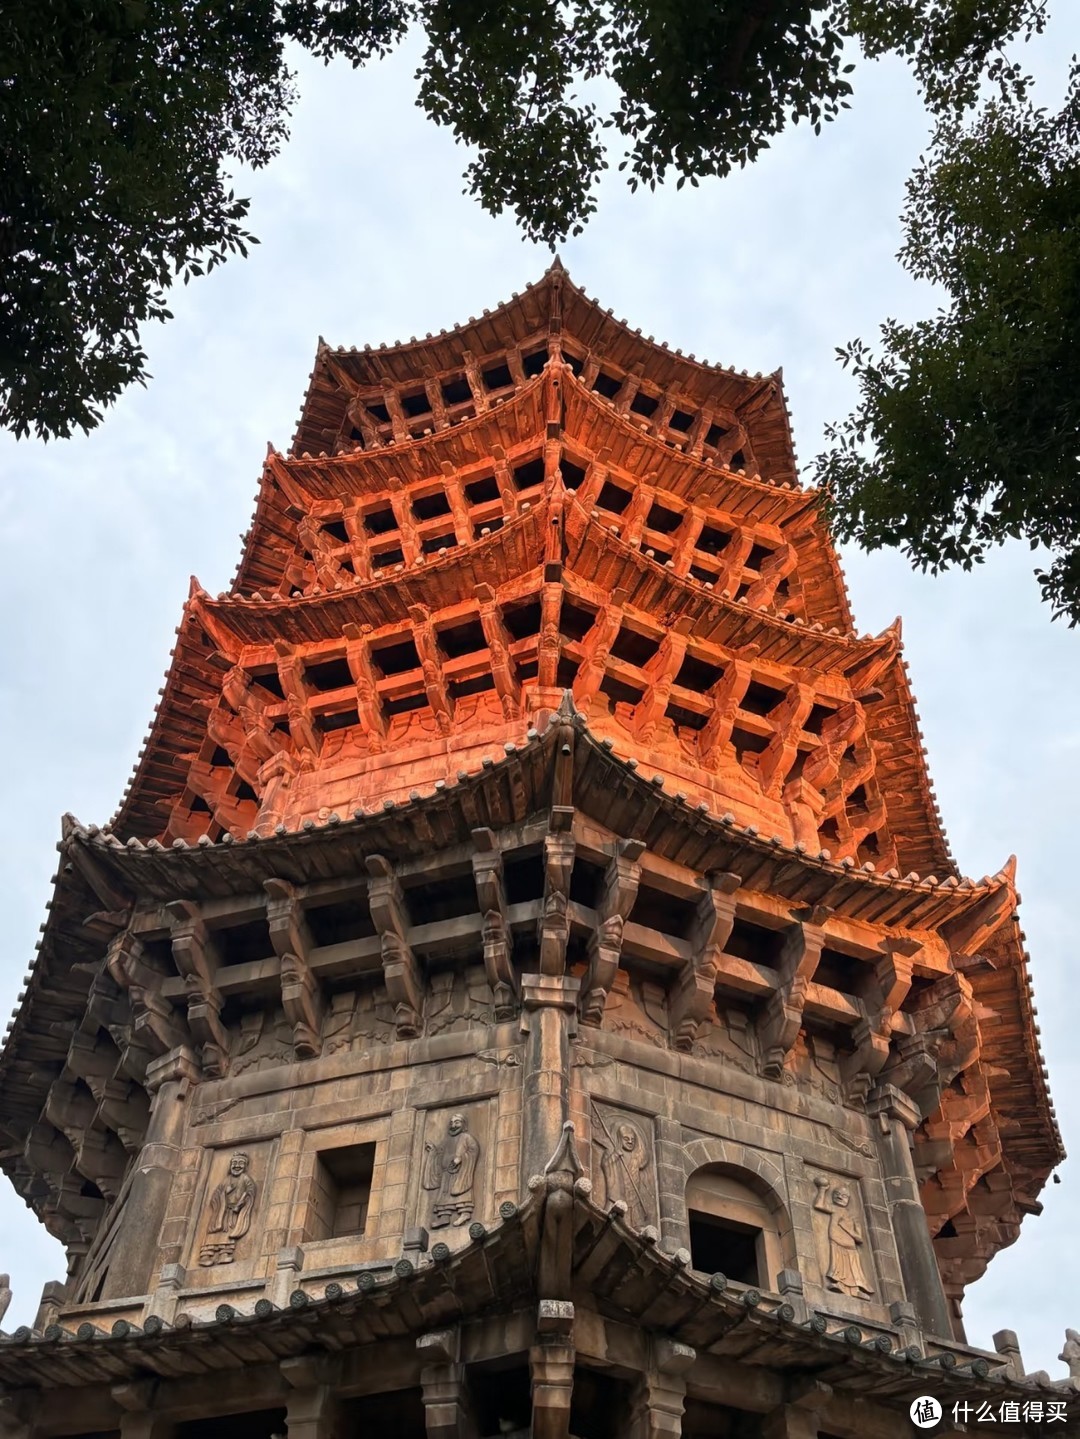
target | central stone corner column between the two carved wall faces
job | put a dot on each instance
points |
(550, 1022)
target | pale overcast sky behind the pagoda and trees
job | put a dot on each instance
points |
(367, 238)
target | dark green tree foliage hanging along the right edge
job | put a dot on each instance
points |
(967, 431)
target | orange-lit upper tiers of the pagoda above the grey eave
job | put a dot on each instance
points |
(411, 604)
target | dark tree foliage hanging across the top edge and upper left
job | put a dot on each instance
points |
(123, 120)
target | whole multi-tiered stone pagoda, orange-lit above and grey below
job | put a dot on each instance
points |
(527, 988)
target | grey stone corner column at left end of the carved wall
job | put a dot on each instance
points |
(136, 1248)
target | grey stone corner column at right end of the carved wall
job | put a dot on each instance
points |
(898, 1116)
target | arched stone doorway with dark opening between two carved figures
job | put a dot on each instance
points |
(736, 1218)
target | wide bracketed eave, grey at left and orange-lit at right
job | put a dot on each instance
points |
(902, 981)
